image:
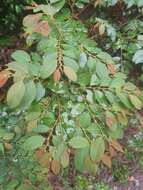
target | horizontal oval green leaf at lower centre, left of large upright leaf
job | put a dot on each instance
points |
(78, 142)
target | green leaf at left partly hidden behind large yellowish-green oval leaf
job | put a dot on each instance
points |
(29, 95)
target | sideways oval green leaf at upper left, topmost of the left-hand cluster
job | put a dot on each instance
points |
(21, 56)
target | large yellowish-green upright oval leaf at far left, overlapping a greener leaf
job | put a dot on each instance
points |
(15, 94)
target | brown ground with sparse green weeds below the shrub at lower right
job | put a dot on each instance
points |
(126, 174)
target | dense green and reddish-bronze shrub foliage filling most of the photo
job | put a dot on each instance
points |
(69, 99)
